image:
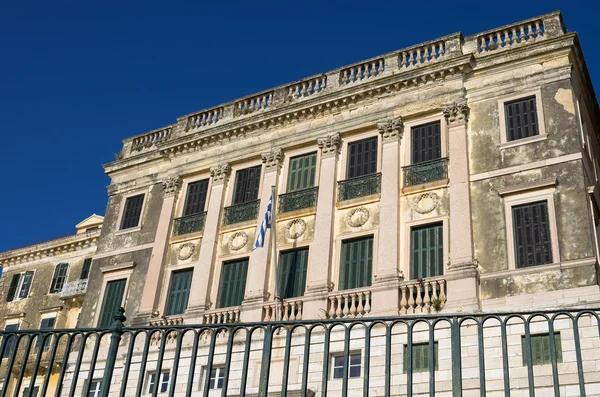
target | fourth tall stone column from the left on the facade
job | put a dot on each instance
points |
(320, 253)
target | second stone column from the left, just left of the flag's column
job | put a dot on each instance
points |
(203, 270)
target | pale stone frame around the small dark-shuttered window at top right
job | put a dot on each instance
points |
(504, 142)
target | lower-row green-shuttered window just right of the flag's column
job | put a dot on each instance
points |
(292, 273)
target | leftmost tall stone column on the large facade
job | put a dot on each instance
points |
(150, 294)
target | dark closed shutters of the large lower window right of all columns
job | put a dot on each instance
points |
(531, 234)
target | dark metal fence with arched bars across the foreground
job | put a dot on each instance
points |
(475, 354)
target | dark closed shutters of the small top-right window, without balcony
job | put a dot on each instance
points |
(521, 118)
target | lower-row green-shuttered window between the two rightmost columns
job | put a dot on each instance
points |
(427, 251)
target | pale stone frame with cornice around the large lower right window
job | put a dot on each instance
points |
(527, 197)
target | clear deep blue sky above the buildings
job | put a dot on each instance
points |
(78, 77)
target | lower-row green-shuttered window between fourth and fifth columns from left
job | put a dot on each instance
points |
(357, 263)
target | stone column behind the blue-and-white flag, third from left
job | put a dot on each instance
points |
(259, 271)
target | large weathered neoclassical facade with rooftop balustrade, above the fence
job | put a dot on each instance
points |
(460, 174)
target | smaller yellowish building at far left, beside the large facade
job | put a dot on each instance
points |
(42, 287)
